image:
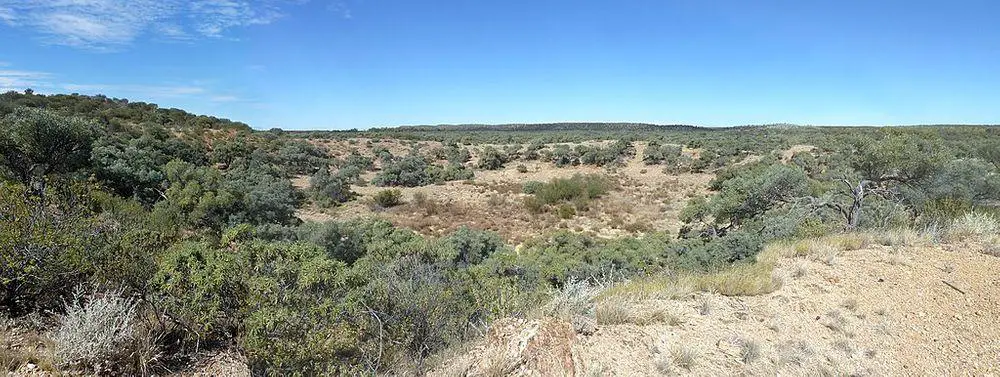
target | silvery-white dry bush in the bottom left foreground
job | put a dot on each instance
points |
(100, 333)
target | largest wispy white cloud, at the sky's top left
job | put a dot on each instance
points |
(111, 24)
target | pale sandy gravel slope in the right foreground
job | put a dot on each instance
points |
(880, 310)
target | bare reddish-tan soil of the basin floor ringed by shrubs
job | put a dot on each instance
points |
(646, 199)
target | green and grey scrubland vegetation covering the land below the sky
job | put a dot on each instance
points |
(133, 239)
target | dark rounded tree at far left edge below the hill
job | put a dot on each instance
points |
(35, 143)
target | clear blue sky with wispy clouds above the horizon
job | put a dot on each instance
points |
(334, 64)
